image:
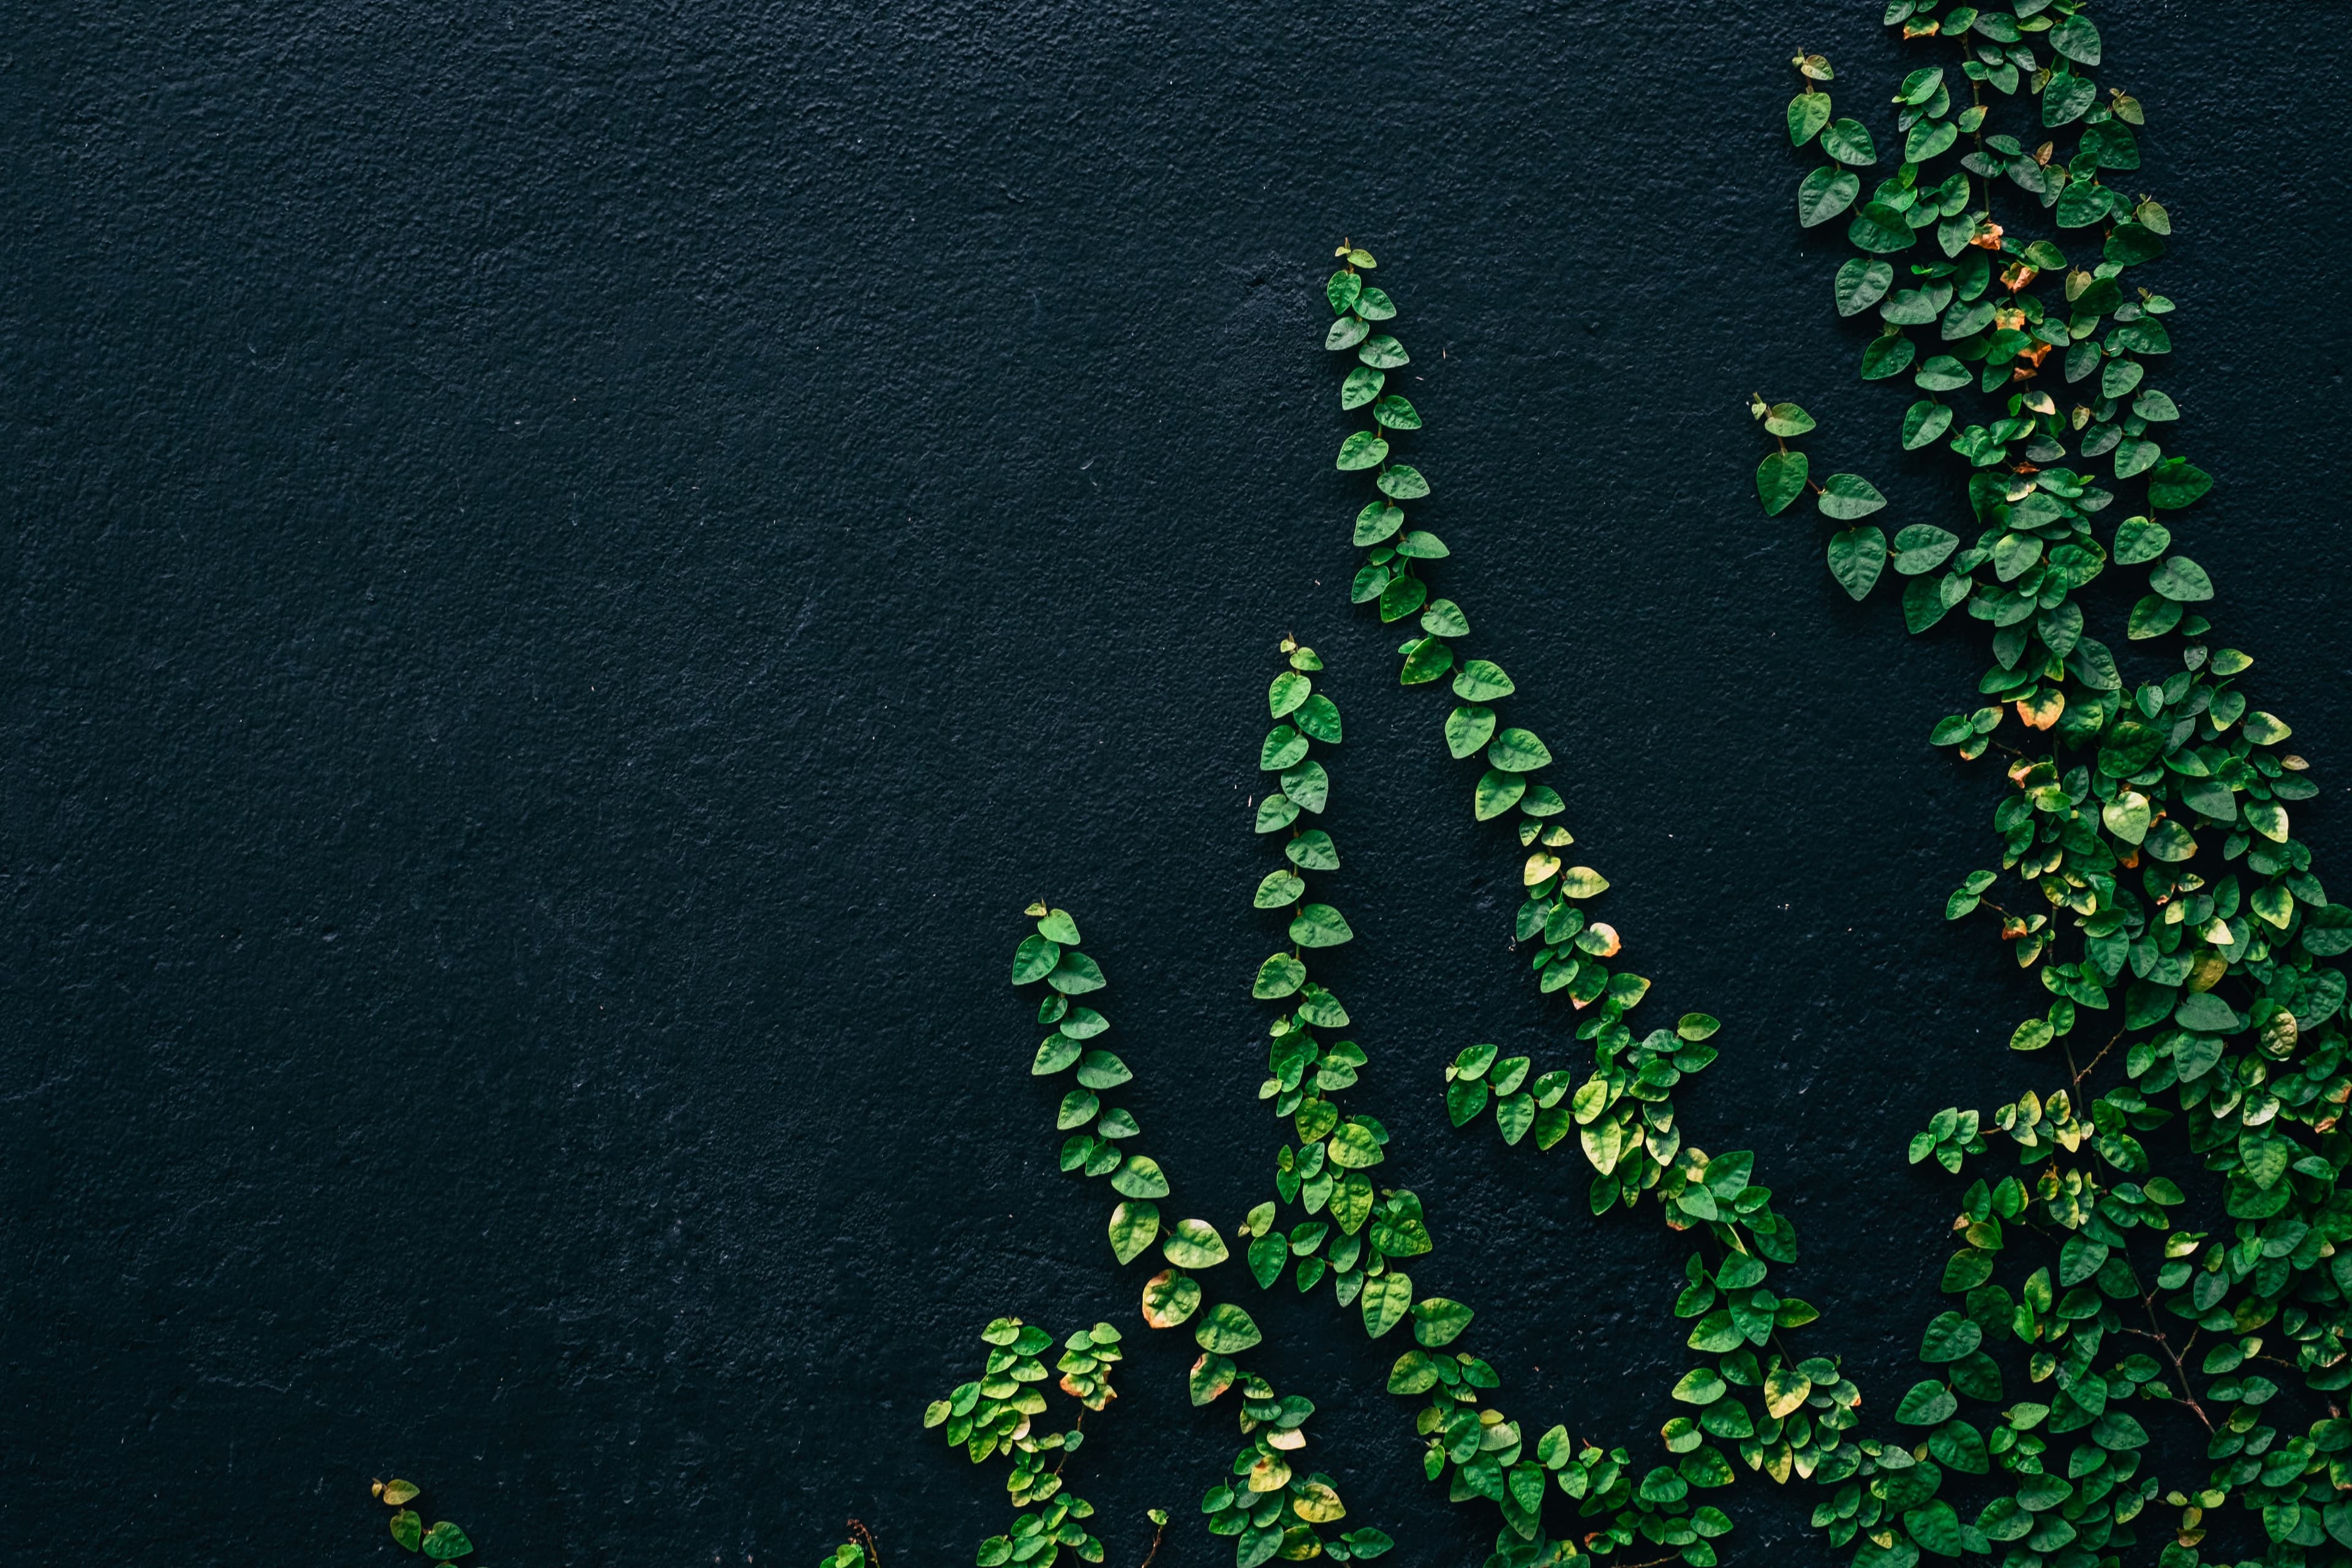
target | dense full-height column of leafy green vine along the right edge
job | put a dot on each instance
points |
(2149, 873)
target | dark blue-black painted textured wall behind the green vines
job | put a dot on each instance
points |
(573, 568)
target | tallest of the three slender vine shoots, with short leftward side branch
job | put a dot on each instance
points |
(1782, 1412)
